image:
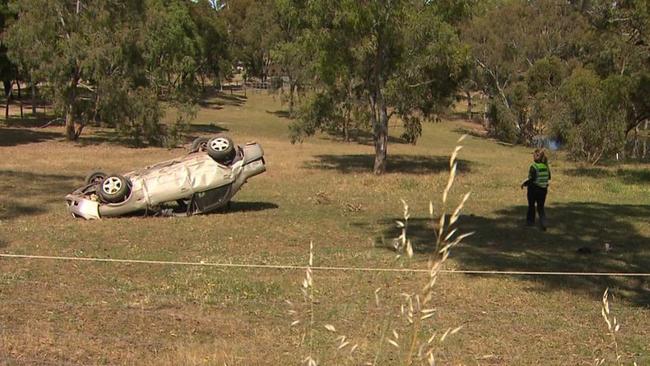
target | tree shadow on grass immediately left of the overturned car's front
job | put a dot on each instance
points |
(36, 188)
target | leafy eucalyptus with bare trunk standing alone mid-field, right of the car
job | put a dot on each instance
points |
(400, 58)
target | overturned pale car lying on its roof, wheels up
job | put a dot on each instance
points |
(202, 181)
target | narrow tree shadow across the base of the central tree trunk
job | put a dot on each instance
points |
(407, 164)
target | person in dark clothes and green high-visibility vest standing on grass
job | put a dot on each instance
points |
(539, 175)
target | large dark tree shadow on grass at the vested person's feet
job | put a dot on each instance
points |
(575, 242)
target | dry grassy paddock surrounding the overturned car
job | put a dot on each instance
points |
(66, 312)
